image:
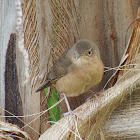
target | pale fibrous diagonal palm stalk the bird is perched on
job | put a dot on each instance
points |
(93, 114)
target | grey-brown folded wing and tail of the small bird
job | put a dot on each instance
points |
(58, 70)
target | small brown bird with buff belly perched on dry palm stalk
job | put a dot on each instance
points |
(77, 69)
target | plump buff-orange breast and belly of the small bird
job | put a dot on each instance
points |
(80, 78)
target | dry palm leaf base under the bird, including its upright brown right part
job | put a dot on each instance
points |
(93, 114)
